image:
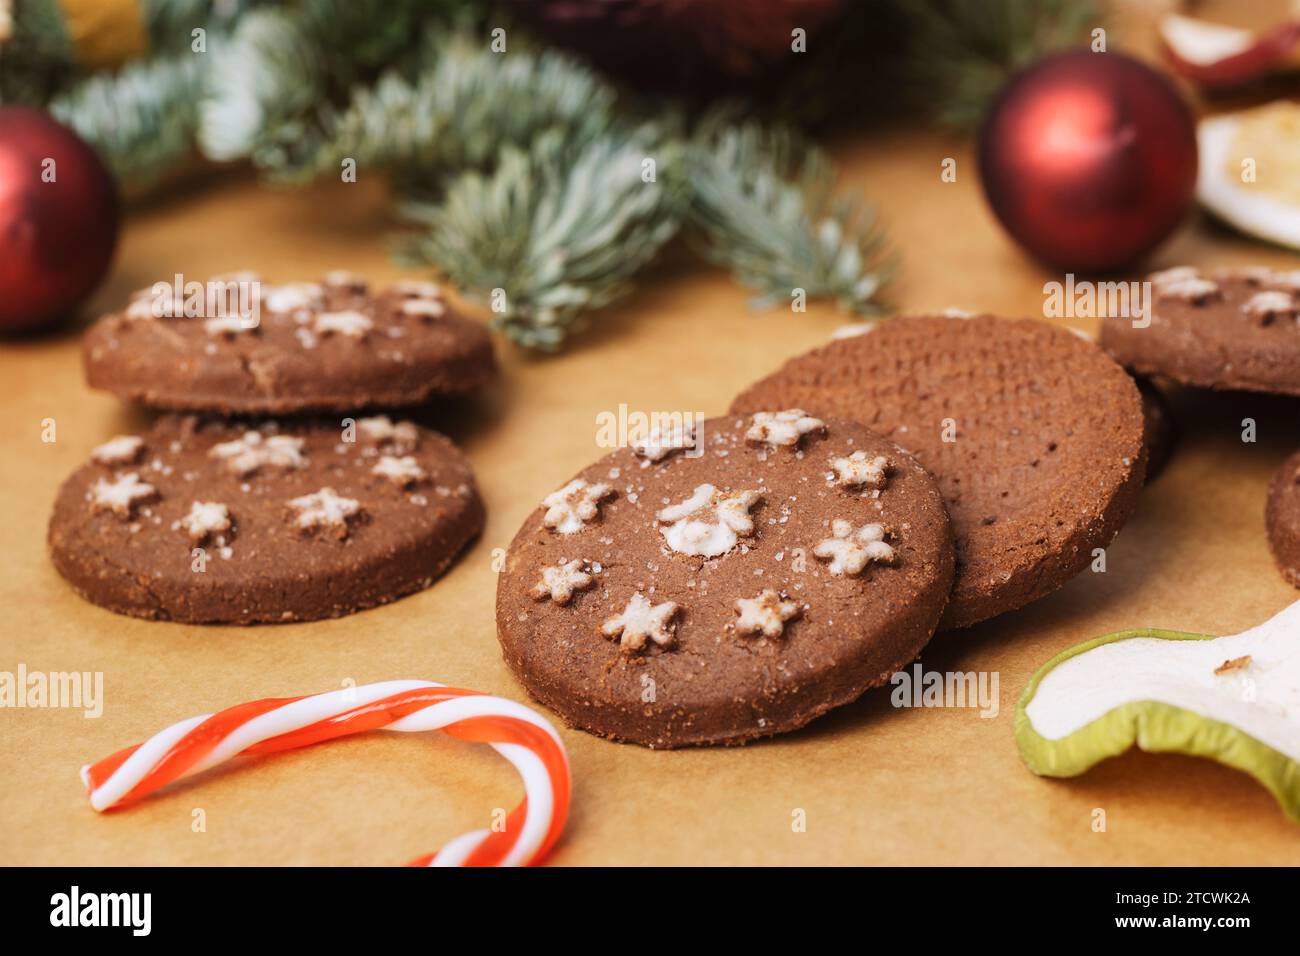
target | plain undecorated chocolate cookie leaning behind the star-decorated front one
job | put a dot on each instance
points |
(1034, 435)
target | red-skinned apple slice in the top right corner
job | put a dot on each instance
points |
(1215, 55)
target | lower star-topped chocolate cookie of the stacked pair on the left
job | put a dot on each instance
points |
(210, 522)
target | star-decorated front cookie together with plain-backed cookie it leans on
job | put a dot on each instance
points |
(738, 579)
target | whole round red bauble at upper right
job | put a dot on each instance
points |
(1089, 161)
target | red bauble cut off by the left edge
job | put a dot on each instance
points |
(59, 219)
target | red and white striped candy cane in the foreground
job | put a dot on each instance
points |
(284, 724)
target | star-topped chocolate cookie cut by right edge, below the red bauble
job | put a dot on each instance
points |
(1224, 330)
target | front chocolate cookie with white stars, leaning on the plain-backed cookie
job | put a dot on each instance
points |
(718, 585)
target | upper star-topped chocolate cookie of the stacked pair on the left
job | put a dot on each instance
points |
(239, 345)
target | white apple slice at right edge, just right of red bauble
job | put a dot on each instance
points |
(1250, 171)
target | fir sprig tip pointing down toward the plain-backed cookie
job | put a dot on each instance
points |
(764, 201)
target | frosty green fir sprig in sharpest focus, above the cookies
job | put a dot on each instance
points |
(558, 231)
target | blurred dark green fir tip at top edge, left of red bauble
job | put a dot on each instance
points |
(967, 50)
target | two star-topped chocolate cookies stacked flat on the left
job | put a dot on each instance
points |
(220, 514)
